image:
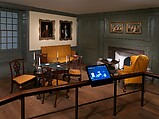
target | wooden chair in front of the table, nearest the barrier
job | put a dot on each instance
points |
(50, 78)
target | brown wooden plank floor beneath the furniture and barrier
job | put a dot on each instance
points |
(128, 106)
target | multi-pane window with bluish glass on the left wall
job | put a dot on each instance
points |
(8, 30)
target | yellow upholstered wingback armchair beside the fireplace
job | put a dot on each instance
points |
(139, 63)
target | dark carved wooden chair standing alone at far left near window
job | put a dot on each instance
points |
(18, 75)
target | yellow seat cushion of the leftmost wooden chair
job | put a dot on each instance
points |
(23, 78)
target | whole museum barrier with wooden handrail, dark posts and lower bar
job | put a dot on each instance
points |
(26, 93)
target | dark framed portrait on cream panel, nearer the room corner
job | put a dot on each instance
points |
(65, 30)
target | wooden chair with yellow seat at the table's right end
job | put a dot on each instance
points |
(75, 67)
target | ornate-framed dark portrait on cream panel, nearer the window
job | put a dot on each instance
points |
(46, 29)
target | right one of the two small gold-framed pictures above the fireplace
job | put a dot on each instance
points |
(133, 27)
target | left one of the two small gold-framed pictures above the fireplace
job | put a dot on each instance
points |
(116, 27)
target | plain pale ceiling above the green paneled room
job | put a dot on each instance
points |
(87, 6)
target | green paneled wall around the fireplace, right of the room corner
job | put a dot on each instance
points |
(95, 37)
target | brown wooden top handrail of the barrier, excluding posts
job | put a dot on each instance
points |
(25, 93)
